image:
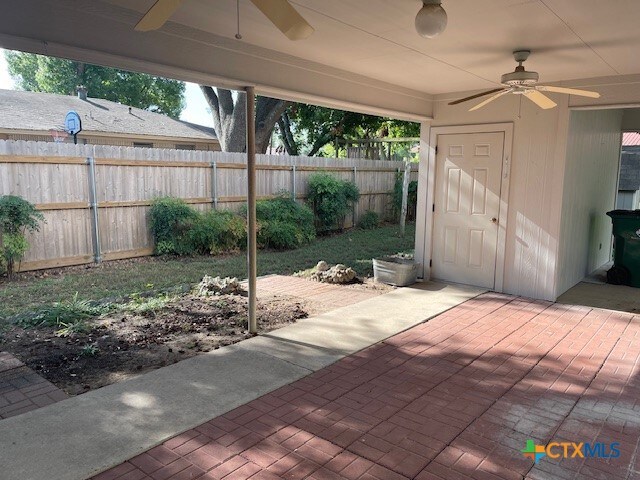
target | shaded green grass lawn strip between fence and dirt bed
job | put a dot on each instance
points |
(119, 279)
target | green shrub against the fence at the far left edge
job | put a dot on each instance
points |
(17, 216)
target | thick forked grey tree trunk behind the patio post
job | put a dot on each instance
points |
(229, 118)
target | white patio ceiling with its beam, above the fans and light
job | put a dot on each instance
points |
(364, 55)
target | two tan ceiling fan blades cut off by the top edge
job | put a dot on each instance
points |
(280, 12)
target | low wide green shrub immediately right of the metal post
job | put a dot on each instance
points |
(283, 223)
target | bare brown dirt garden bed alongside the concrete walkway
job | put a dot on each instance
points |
(157, 331)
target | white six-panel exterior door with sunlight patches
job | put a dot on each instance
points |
(467, 207)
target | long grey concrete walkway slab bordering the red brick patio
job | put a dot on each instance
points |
(84, 435)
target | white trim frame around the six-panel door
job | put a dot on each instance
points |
(427, 249)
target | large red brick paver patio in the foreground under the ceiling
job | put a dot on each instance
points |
(454, 398)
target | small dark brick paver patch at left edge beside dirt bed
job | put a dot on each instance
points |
(22, 389)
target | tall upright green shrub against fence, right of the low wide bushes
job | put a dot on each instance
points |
(331, 199)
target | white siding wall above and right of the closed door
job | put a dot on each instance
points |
(536, 172)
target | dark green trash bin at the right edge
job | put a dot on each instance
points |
(626, 256)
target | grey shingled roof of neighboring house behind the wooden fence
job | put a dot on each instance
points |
(45, 111)
